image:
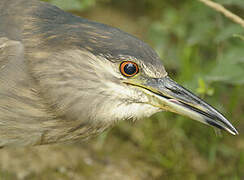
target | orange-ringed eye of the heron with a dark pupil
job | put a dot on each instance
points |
(129, 68)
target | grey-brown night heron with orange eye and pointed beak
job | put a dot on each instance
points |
(63, 78)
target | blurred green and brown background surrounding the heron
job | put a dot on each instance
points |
(201, 50)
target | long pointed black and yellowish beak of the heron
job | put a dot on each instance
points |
(166, 94)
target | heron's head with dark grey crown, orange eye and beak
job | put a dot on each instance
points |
(101, 74)
